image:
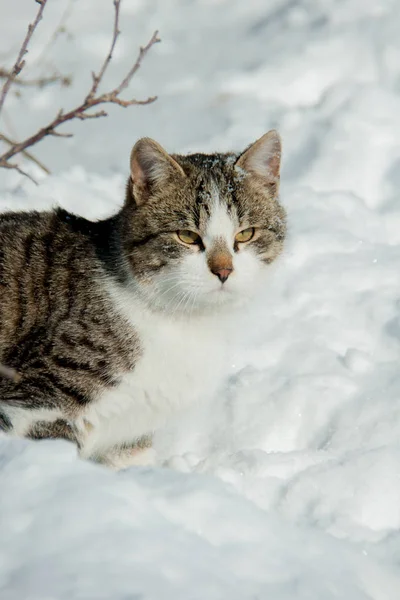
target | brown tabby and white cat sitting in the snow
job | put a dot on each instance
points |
(113, 325)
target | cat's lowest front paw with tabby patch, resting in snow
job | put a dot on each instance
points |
(139, 453)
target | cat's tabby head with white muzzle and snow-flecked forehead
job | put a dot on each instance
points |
(199, 231)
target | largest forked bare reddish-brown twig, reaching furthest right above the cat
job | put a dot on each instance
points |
(92, 99)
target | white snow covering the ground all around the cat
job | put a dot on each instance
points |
(289, 484)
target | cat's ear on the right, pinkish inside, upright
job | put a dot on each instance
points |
(263, 158)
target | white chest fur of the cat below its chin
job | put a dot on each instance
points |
(183, 362)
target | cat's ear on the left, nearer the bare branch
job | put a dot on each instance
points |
(151, 167)
